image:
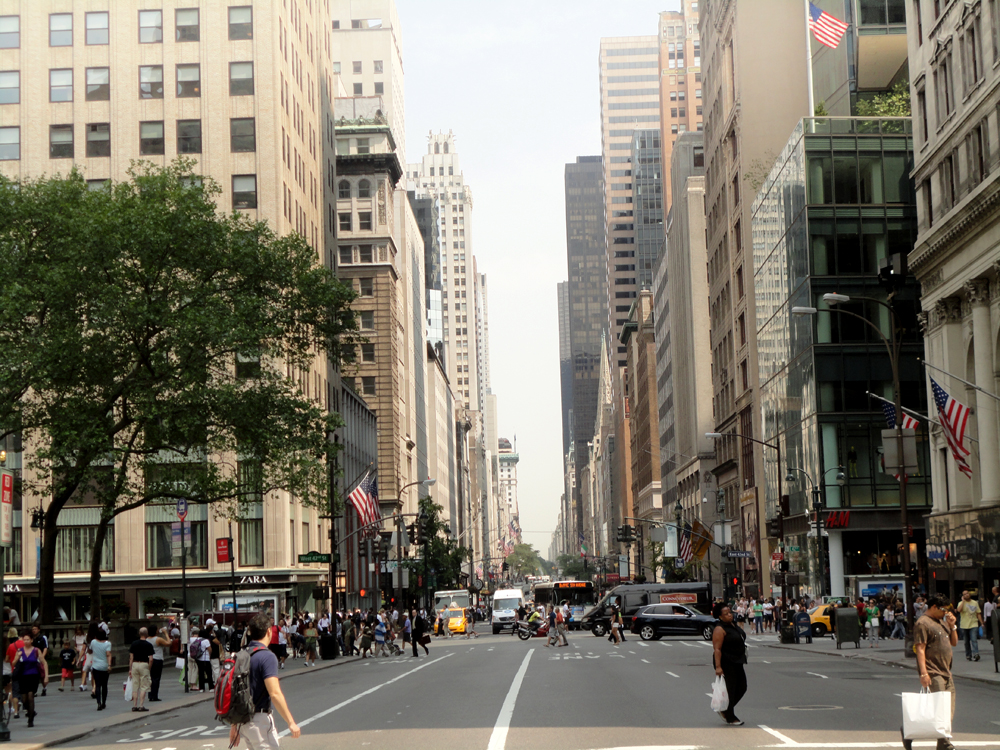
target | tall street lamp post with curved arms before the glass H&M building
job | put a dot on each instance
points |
(892, 347)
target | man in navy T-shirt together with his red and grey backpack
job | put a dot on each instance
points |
(249, 691)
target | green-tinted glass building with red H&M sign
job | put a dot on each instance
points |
(836, 203)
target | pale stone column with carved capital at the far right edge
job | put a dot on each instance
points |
(986, 406)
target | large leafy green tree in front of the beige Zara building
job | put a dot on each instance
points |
(152, 348)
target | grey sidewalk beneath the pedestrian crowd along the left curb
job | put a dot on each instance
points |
(63, 717)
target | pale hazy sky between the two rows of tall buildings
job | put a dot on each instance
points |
(517, 83)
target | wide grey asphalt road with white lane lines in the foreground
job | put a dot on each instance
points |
(499, 692)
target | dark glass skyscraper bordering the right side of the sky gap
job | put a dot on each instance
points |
(586, 252)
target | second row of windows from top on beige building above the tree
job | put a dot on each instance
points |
(188, 77)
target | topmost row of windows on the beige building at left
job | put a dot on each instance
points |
(187, 27)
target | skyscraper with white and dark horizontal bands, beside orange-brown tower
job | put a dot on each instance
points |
(630, 99)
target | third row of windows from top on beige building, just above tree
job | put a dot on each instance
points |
(152, 139)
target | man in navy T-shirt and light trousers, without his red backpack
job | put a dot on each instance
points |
(260, 732)
